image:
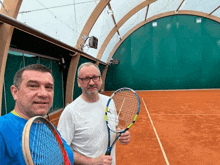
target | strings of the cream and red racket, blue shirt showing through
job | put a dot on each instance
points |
(43, 145)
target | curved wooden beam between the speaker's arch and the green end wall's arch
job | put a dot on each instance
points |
(120, 23)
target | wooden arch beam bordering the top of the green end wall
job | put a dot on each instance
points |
(181, 12)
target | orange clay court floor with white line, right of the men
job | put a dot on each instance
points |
(174, 127)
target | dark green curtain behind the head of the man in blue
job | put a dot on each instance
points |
(14, 62)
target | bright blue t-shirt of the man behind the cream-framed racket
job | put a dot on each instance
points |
(11, 129)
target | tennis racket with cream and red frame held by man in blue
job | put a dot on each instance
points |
(41, 143)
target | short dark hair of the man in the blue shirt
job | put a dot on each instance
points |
(36, 67)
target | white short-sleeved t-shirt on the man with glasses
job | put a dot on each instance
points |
(83, 126)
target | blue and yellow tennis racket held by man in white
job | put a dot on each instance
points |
(121, 112)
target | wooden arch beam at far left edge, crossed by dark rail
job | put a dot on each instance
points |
(11, 9)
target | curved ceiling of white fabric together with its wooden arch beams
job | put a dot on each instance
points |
(74, 21)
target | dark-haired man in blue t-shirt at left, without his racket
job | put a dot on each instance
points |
(33, 92)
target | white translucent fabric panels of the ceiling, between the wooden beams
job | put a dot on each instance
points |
(64, 20)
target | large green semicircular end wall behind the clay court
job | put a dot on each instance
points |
(177, 54)
